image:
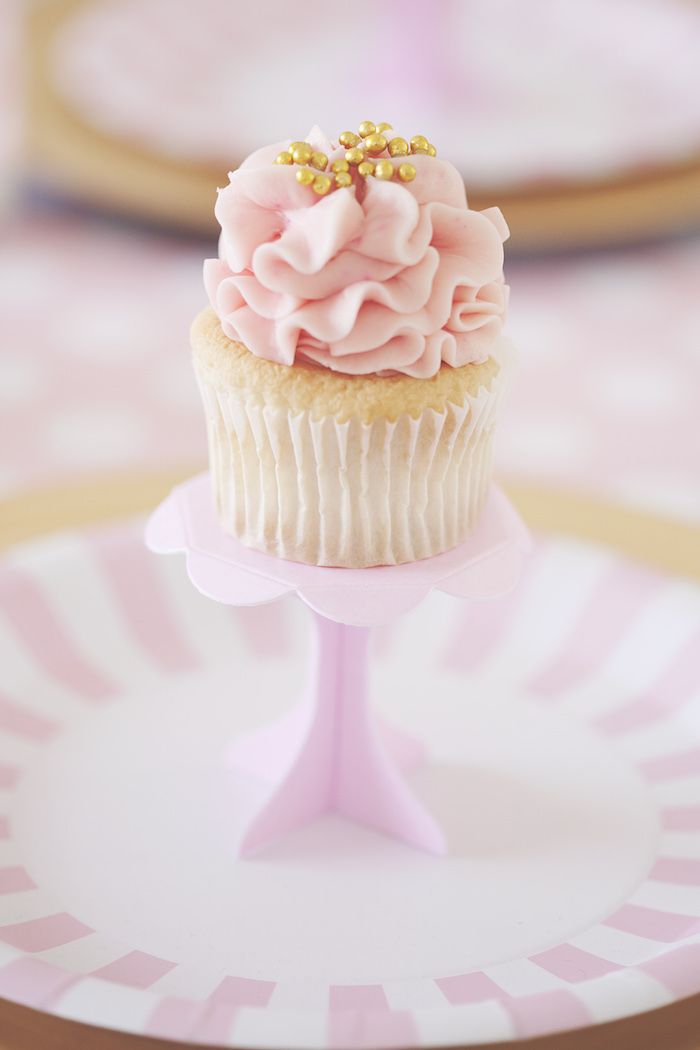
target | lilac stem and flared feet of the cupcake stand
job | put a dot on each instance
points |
(330, 754)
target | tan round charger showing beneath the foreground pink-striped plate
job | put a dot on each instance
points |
(669, 545)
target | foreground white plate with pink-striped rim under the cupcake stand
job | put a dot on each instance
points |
(564, 725)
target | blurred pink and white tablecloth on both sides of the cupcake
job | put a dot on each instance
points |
(95, 370)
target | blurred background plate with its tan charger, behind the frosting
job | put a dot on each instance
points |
(176, 96)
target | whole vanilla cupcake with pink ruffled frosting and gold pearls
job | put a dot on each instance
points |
(352, 361)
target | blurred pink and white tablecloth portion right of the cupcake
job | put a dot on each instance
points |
(606, 397)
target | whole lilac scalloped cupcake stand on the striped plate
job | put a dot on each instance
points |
(329, 754)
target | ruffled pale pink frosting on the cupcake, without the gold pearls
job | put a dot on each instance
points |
(376, 278)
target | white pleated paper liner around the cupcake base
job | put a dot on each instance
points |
(351, 494)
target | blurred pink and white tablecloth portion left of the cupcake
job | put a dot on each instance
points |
(95, 371)
